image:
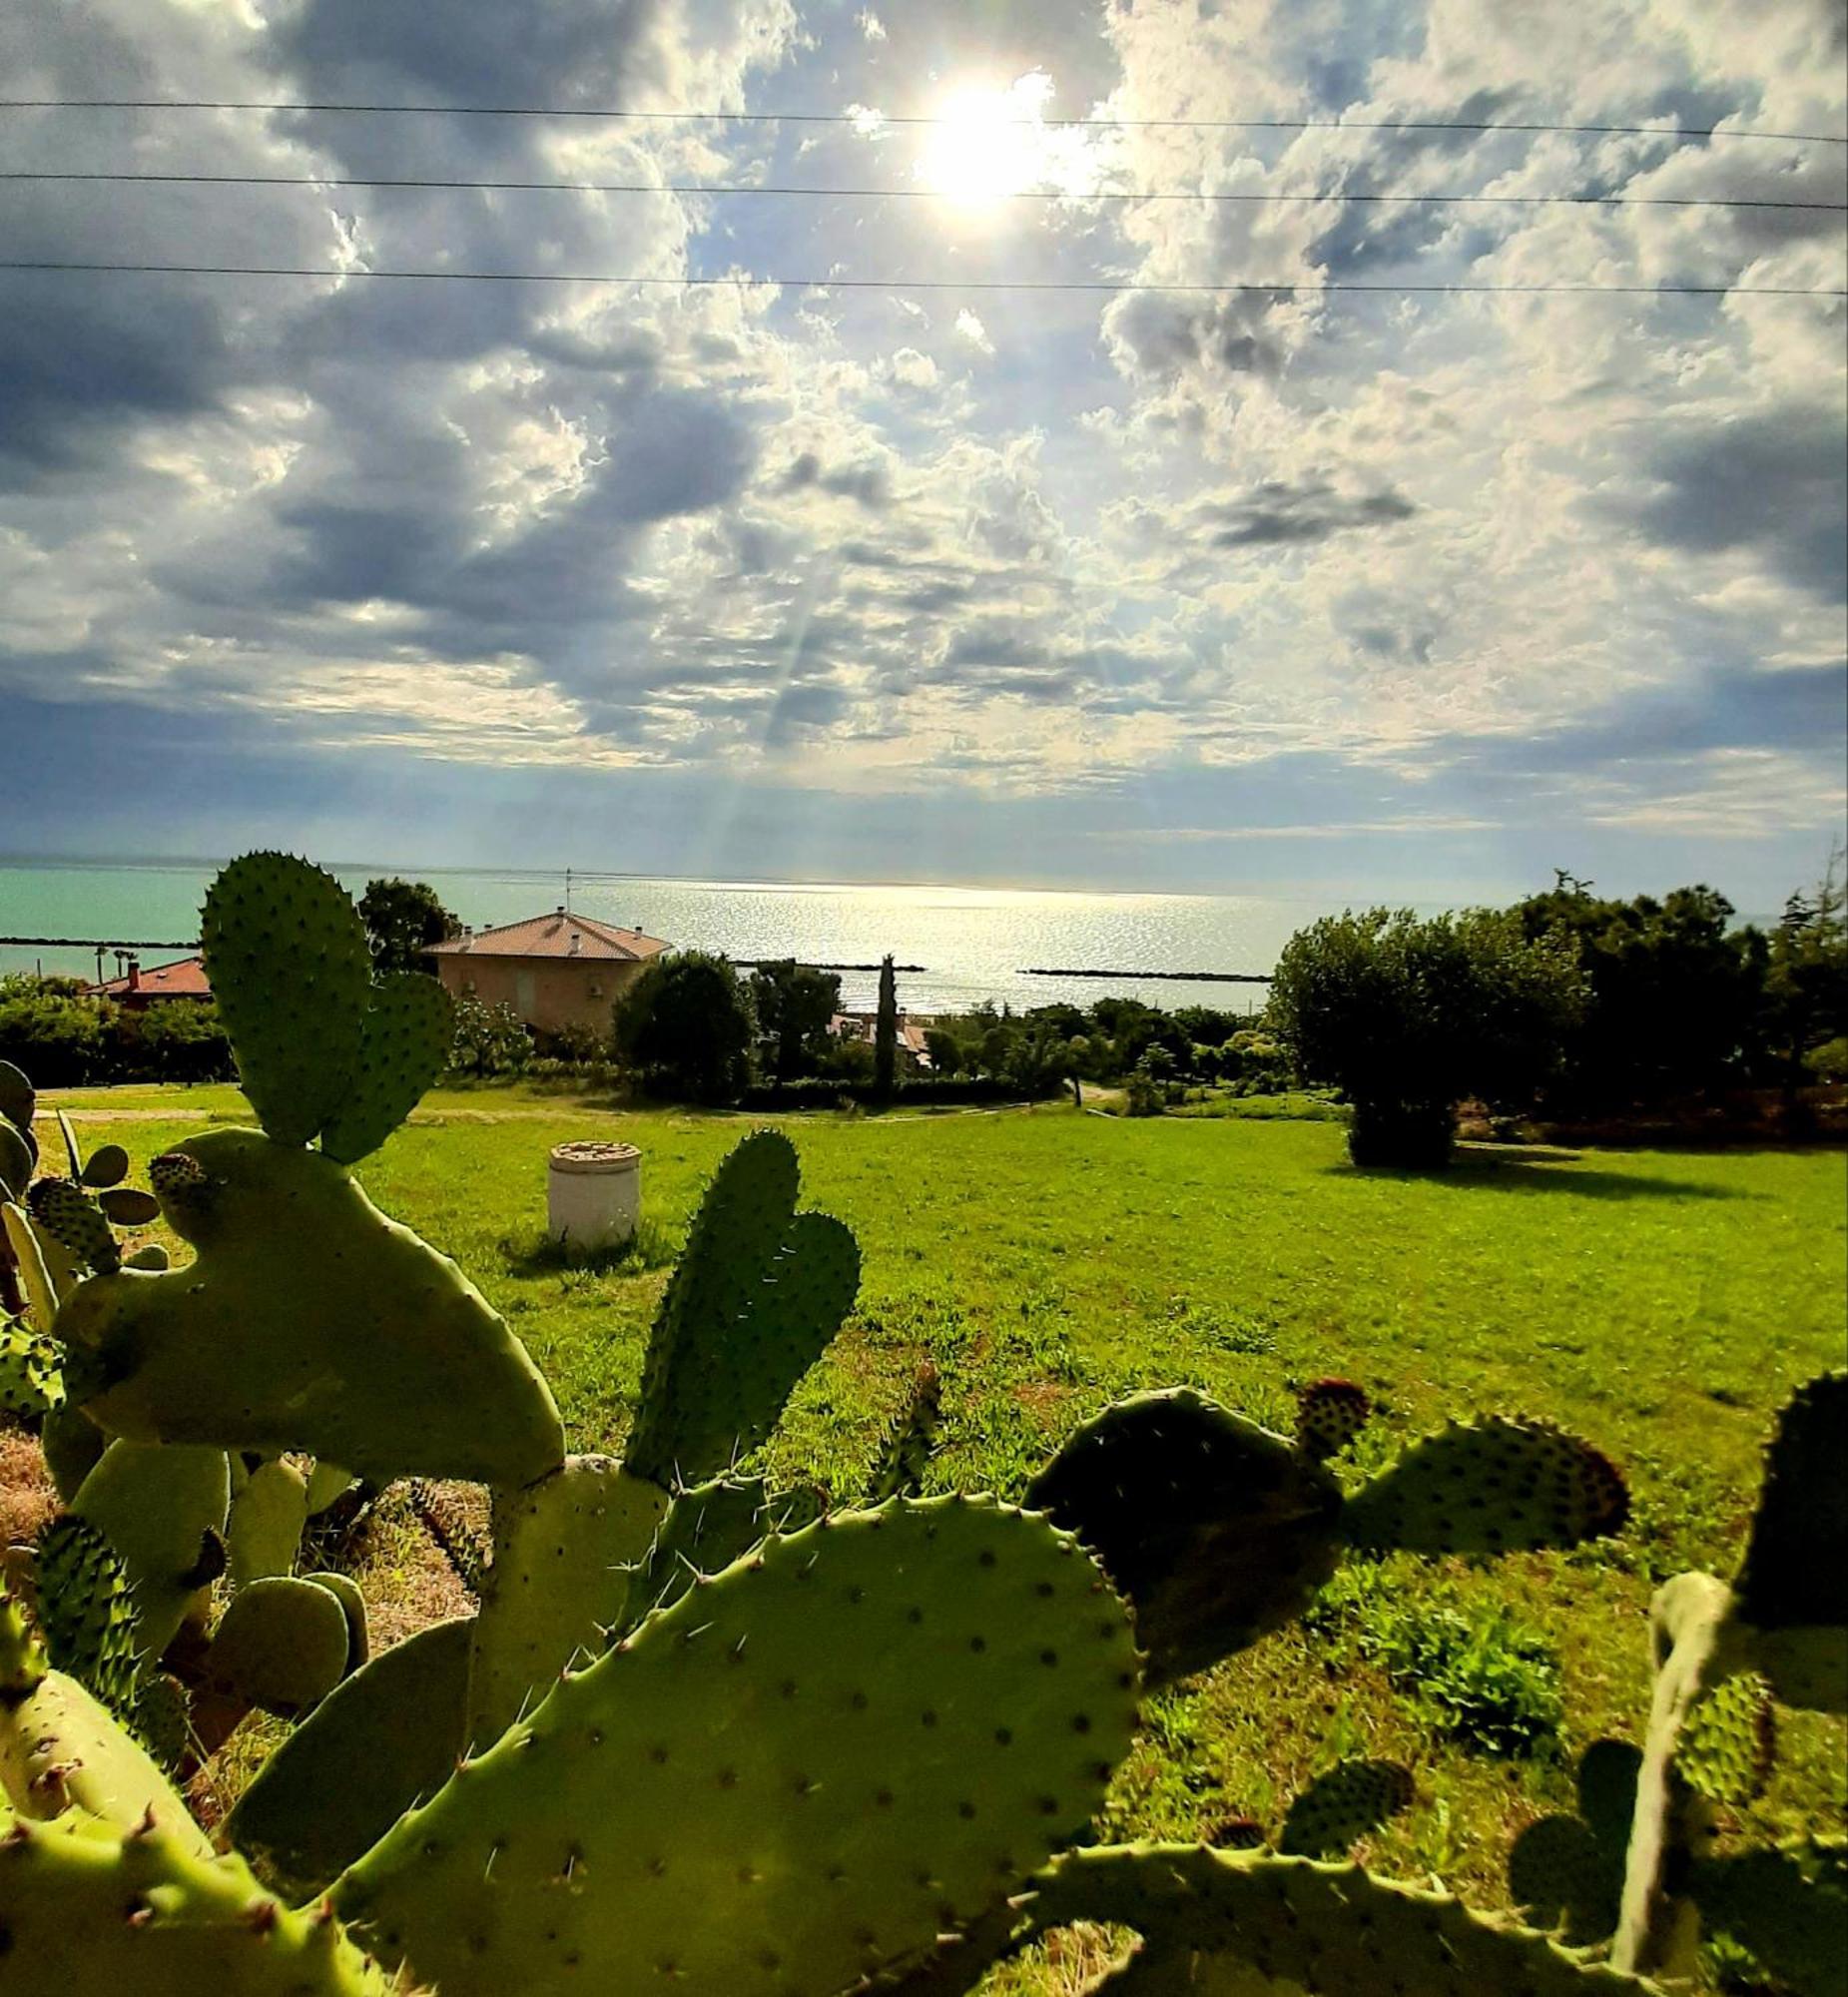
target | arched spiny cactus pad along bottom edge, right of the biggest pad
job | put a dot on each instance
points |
(1248, 1922)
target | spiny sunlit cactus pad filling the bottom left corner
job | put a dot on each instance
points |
(85, 1908)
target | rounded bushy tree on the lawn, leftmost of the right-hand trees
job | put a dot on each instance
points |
(1408, 1017)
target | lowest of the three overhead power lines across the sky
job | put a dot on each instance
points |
(927, 285)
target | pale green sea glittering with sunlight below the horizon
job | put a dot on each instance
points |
(969, 944)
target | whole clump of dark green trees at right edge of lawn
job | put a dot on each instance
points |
(1568, 1005)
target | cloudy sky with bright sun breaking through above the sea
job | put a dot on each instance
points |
(883, 572)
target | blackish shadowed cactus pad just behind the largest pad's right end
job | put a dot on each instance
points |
(1212, 1527)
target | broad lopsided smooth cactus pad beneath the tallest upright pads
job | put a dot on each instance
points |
(308, 1321)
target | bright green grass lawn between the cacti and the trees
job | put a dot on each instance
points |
(1049, 1261)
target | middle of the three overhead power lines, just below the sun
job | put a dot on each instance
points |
(909, 195)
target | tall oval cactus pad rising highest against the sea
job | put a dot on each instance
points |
(290, 972)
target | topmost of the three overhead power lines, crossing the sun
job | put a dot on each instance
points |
(871, 119)
